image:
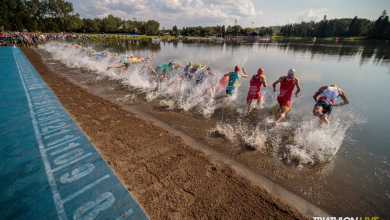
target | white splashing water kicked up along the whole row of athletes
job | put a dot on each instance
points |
(301, 143)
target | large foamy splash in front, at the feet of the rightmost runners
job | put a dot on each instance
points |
(303, 144)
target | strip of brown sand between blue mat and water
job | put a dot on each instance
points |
(167, 177)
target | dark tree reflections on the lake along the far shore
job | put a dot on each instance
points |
(366, 49)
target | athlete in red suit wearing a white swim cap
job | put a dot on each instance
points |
(287, 84)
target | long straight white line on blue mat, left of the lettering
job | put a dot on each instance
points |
(52, 182)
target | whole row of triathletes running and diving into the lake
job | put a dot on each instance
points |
(325, 97)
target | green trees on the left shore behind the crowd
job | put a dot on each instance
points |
(58, 15)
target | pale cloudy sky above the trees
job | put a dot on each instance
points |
(190, 13)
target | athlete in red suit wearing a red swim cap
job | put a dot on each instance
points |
(255, 85)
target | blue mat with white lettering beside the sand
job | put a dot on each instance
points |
(49, 169)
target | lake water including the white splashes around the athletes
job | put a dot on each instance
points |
(354, 149)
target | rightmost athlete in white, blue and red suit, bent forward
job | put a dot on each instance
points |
(324, 104)
